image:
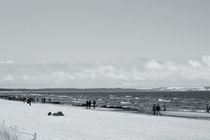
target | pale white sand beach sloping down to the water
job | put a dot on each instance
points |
(81, 124)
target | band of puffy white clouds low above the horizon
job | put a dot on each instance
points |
(138, 73)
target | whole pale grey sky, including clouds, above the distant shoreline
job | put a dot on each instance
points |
(104, 43)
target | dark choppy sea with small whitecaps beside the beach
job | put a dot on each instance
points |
(142, 102)
